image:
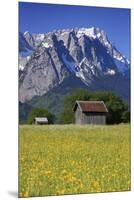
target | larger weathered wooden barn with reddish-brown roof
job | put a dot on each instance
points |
(90, 112)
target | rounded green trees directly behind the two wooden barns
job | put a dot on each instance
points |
(119, 111)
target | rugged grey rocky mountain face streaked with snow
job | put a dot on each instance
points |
(46, 60)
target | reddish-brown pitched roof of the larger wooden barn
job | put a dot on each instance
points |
(91, 106)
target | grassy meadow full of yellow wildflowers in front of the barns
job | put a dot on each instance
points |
(70, 159)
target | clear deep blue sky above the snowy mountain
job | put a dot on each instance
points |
(42, 18)
